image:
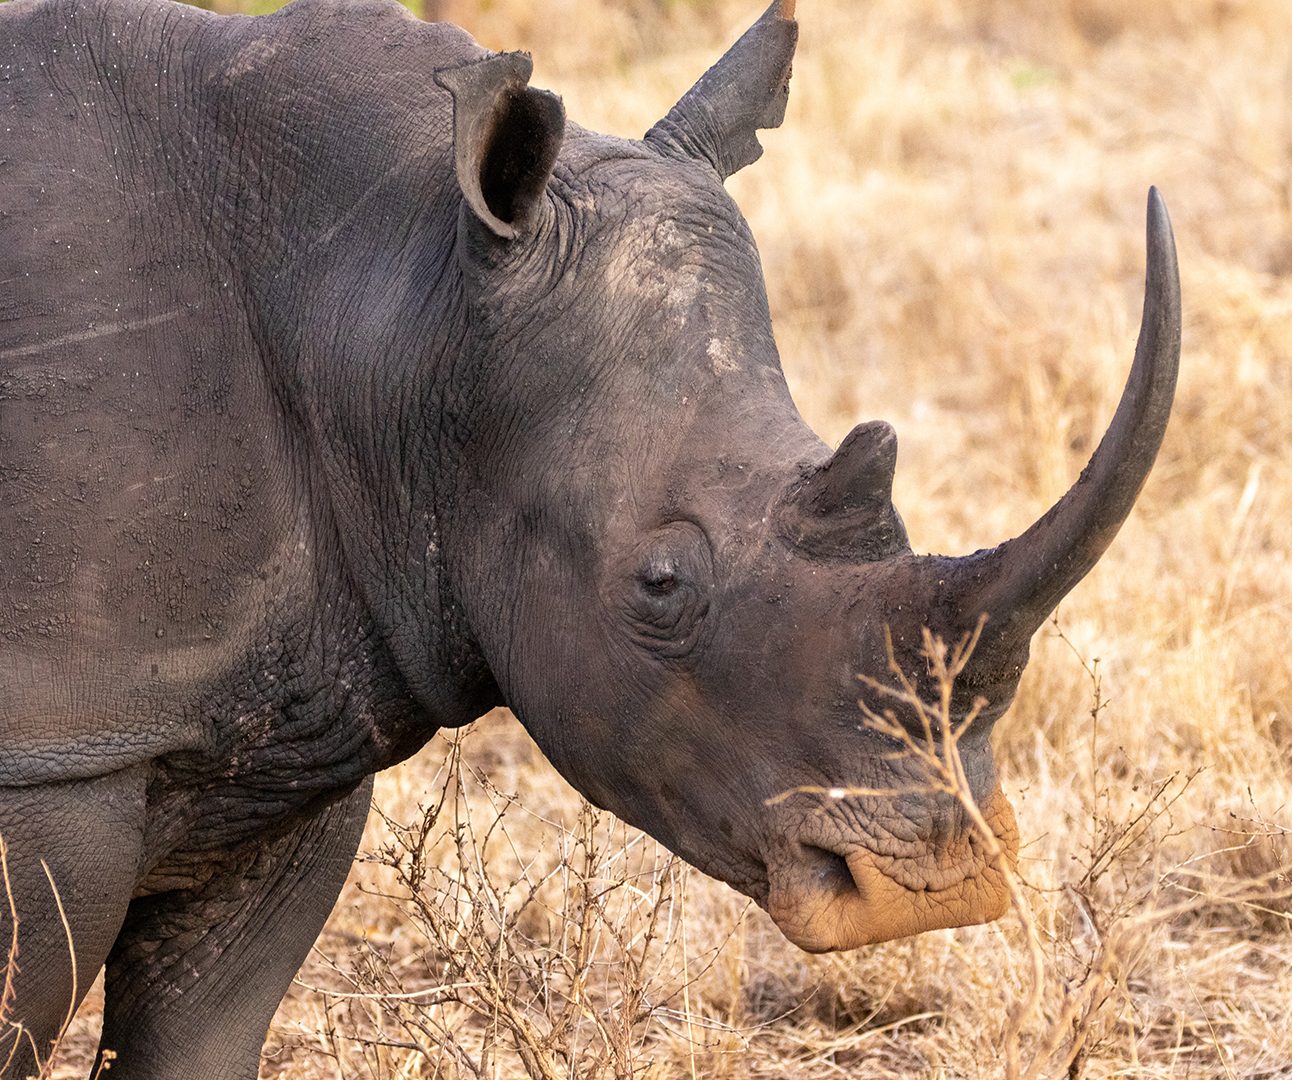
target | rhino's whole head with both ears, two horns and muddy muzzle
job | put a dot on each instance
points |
(674, 582)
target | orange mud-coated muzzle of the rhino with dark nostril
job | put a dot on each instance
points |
(842, 897)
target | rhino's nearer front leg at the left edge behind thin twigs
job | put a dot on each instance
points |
(90, 835)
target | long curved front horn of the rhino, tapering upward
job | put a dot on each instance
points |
(1021, 582)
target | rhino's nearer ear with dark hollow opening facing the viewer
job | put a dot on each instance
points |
(506, 139)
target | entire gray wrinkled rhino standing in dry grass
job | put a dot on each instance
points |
(347, 395)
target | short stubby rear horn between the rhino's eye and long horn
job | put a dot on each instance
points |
(844, 507)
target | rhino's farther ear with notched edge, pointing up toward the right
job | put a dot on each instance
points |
(747, 91)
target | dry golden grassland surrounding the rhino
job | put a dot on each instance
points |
(953, 229)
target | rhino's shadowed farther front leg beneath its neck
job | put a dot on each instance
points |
(198, 971)
